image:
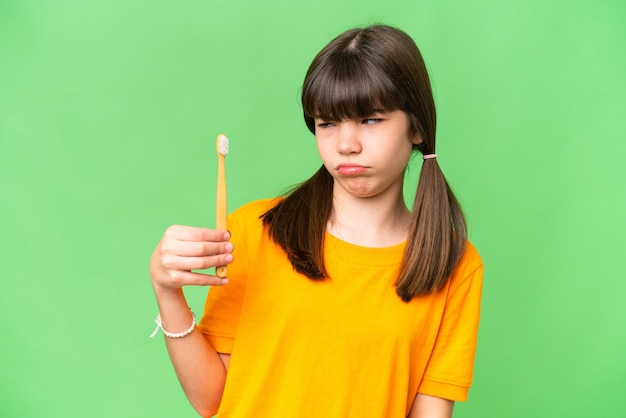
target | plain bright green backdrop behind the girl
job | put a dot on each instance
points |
(108, 117)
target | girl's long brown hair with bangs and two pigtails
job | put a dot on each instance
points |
(359, 72)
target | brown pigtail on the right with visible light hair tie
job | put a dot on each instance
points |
(437, 235)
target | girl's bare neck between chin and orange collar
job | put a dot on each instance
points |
(378, 221)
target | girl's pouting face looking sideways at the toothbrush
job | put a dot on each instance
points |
(366, 157)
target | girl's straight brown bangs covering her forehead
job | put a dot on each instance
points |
(347, 87)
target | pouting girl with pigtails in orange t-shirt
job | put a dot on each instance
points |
(340, 301)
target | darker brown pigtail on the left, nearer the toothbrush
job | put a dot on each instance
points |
(298, 224)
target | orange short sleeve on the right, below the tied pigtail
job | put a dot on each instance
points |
(449, 370)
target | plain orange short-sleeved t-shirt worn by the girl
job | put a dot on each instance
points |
(344, 347)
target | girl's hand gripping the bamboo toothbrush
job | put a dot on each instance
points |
(183, 249)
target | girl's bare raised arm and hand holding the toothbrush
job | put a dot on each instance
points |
(199, 368)
